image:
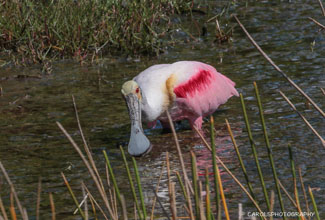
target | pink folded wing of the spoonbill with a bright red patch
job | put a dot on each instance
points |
(205, 91)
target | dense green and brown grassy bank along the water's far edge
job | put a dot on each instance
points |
(37, 31)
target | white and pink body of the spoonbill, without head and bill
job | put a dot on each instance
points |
(198, 90)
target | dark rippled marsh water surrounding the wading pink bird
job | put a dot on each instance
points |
(32, 145)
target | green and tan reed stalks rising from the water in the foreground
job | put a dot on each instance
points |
(107, 201)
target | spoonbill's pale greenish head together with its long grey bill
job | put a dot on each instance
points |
(139, 143)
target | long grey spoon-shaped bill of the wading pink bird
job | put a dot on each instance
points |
(139, 143)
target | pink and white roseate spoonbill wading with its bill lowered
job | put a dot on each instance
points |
(187, 89)
